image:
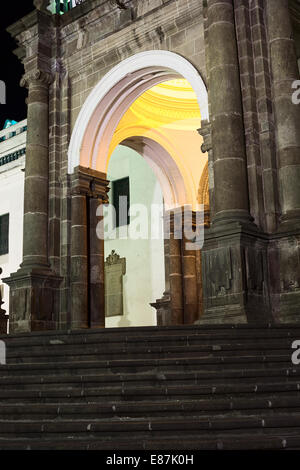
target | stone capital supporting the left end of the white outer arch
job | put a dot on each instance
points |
(90, 183)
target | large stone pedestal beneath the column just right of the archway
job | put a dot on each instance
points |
(235, 275)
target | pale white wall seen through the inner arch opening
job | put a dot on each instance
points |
(144, 281)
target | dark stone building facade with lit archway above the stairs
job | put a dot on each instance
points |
(85, 70)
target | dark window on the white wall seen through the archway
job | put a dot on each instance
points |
(121, 201)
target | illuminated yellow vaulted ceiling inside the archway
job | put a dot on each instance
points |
(169, 115)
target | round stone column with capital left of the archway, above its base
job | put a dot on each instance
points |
(35, 238)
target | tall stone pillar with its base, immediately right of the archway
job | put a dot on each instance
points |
(234, 256)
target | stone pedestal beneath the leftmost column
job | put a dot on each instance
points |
(34, 300)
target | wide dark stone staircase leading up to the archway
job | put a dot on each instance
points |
(171, 388)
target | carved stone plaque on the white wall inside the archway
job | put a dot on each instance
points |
(115, 269)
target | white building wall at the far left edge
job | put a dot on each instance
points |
(12, 202)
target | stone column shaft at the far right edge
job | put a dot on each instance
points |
(285, 71)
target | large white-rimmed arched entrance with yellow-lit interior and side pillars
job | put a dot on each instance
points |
(107, 124)
